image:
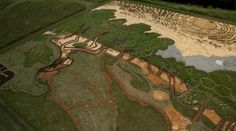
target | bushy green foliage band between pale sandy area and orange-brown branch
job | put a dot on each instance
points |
(134, 41)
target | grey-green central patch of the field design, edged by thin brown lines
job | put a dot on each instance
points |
(82, 84)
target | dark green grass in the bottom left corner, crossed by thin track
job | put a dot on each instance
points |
(36, 110)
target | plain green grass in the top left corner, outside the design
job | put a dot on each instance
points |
(21, 18)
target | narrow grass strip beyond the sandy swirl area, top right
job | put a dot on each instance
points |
(228, 16)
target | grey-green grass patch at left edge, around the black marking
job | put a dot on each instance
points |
(25, 62)
